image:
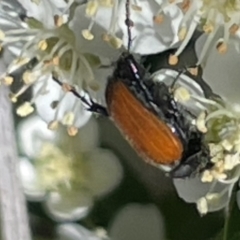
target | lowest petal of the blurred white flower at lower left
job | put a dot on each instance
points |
(69, 205)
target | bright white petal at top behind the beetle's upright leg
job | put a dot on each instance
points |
(148, 37)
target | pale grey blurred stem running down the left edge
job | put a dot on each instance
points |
(14, 219)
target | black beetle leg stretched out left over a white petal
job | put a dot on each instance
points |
(92, 106)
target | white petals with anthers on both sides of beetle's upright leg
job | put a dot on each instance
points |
(154, 29)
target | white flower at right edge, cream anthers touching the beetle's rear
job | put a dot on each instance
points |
(211, 189)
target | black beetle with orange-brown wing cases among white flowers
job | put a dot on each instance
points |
(146, 113)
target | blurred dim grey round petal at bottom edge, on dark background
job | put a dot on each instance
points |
(137, 222)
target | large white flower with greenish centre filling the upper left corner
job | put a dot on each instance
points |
(49, 47)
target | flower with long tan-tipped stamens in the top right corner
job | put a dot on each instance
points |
(219, 20)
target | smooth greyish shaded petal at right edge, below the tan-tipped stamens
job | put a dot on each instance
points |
(222, 71)
